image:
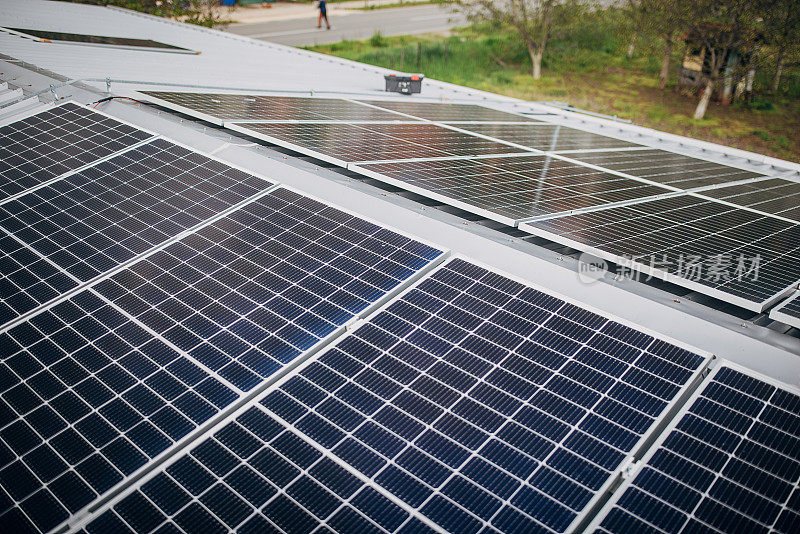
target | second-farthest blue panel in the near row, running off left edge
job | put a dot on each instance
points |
(100, 217)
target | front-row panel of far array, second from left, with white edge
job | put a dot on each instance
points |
(344, 143)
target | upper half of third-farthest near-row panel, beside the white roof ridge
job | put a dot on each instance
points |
(250, 292)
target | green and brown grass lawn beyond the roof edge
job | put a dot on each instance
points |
(585, 66)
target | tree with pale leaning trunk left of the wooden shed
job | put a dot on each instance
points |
(721, 27)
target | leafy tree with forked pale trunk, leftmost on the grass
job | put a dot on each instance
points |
(532, 20)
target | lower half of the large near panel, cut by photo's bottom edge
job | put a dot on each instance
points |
(255, 475)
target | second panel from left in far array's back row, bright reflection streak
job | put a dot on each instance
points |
(547, 137)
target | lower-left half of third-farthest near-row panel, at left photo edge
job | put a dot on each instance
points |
(87, 397)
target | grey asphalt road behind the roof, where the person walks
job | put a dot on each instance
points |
(352, 25)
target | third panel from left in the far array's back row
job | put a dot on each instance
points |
(668, 168)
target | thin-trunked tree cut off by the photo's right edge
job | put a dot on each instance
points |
(781, 33)
